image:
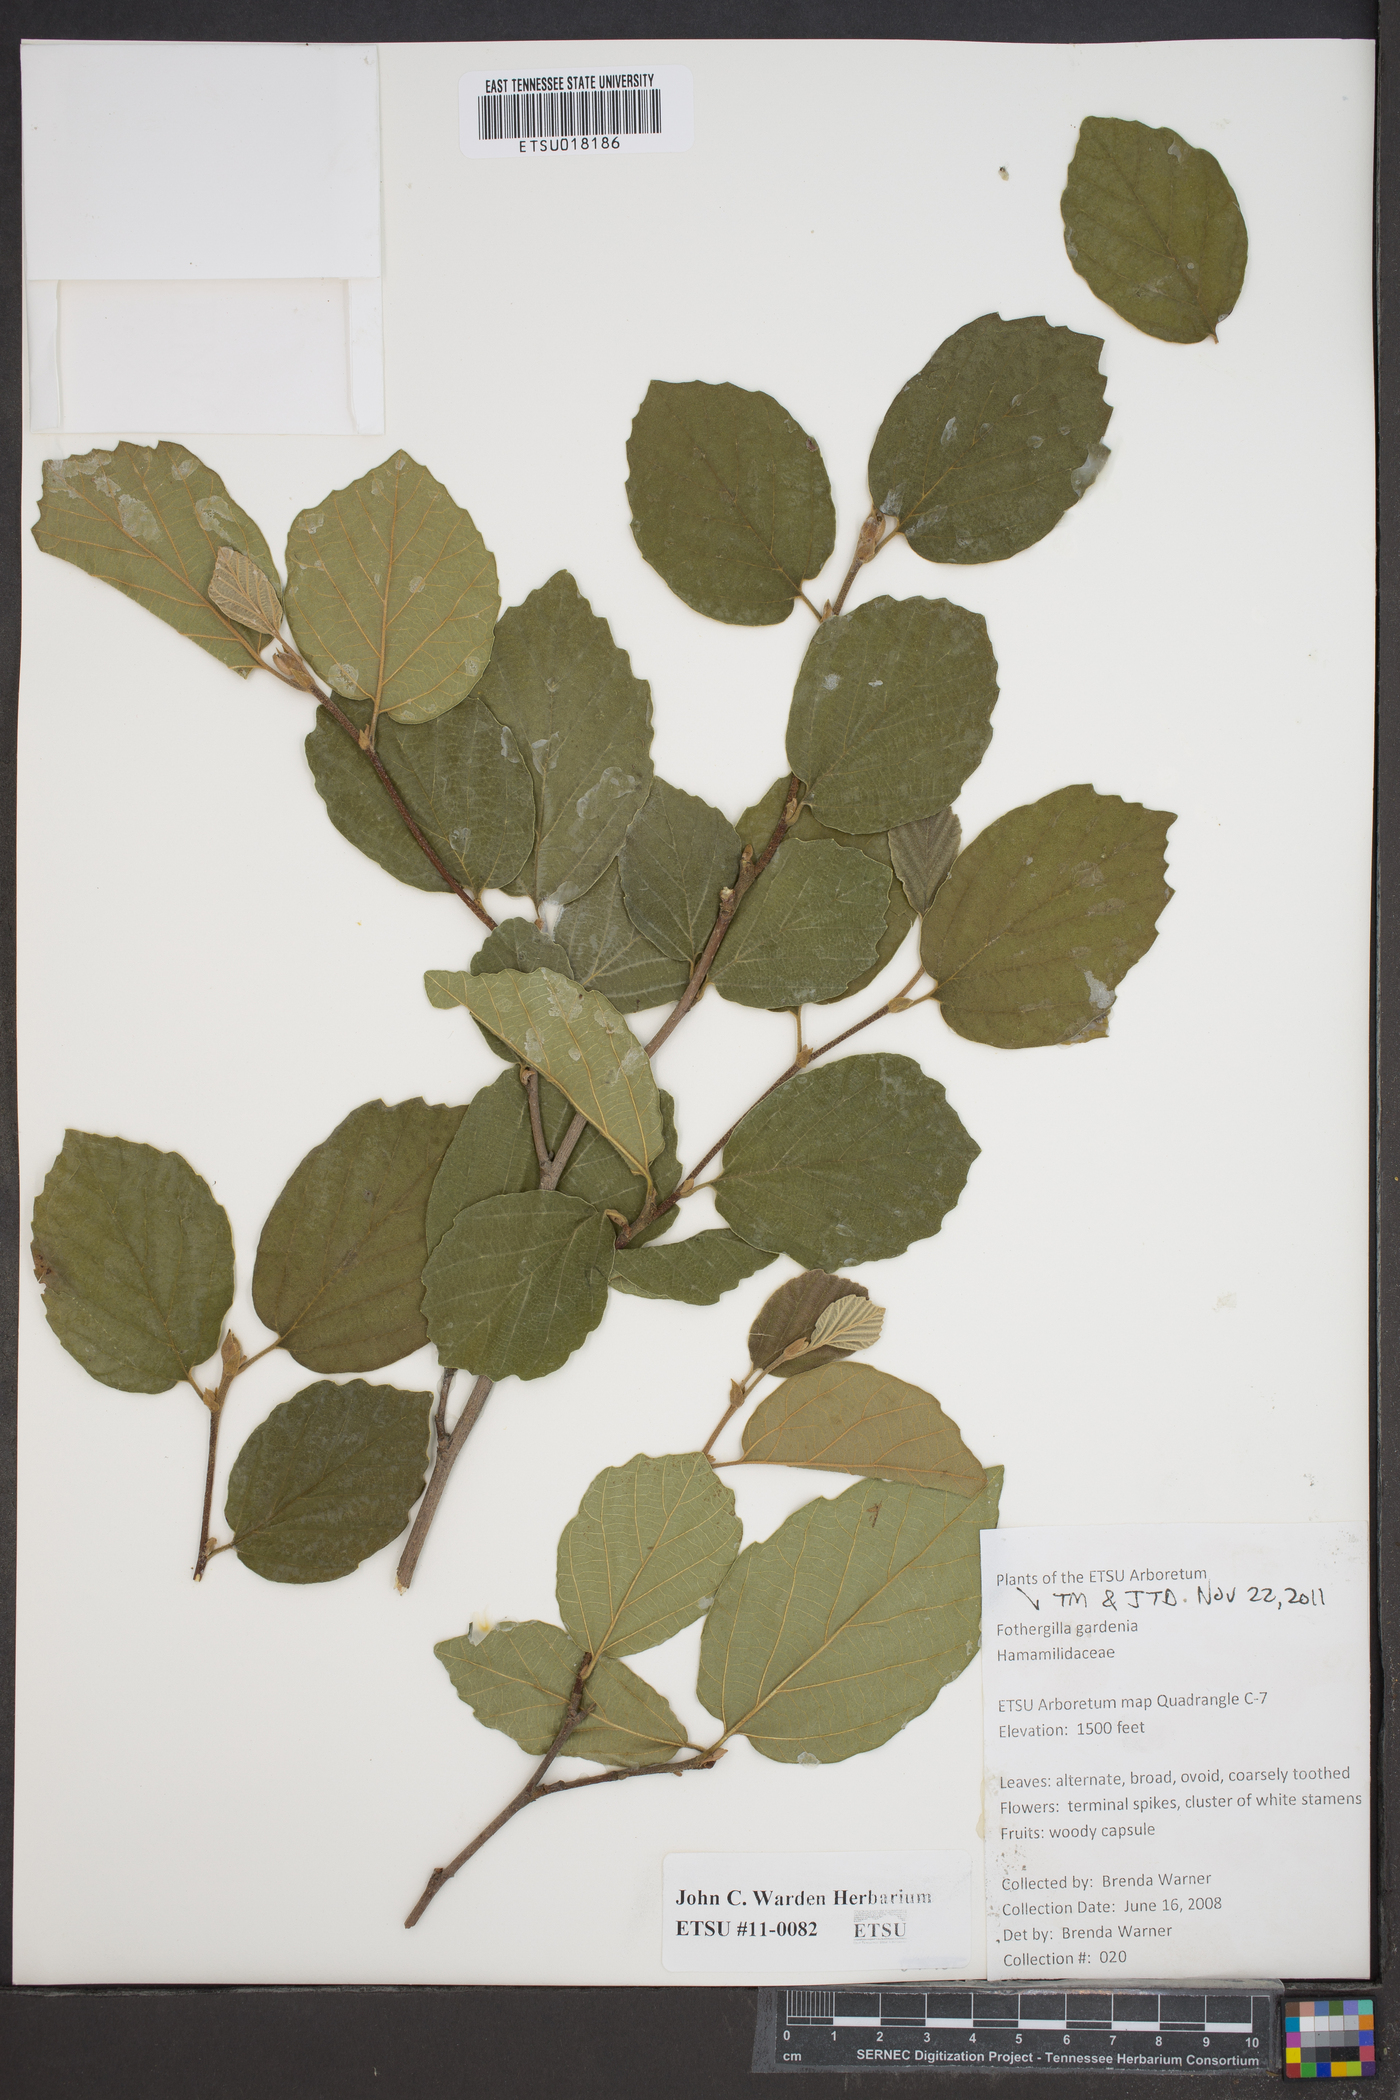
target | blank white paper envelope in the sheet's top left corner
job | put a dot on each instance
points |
(203, 238)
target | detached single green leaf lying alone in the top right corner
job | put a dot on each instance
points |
(1153, 228)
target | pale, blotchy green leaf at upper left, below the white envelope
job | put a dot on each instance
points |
(152, 520)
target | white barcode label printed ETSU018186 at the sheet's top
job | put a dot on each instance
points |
(530, 112)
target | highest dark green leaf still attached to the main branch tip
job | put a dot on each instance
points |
(990, 444)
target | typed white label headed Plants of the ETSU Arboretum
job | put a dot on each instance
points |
(1176, 1750)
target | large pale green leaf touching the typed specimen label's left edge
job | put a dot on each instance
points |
(834, 1633)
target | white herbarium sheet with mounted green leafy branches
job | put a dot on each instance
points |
(784, 551)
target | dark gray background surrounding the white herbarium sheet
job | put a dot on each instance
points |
(408, 2044)
